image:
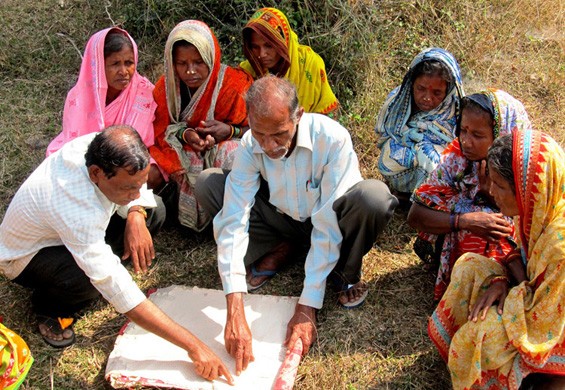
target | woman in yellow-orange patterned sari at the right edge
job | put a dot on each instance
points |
(499, 322)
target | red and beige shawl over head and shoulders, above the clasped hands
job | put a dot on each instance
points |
(220, 97)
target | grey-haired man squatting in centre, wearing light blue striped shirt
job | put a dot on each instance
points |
(295, 179)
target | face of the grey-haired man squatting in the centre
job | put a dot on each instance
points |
(274, 133)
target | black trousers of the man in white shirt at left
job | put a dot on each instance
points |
(60, 287)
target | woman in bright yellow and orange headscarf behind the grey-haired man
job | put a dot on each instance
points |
(270, 46)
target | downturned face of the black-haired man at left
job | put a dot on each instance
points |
(122, 188)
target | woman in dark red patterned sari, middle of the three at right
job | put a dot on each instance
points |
(452, 209)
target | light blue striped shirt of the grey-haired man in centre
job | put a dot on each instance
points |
(320, 169)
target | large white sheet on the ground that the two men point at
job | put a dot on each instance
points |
(141, 358)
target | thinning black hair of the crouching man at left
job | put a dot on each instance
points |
(118, 146)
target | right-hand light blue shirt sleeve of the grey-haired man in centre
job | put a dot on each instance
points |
(326, 236)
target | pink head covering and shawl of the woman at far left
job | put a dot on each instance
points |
(85, 107)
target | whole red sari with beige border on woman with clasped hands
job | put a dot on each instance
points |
(220, 97)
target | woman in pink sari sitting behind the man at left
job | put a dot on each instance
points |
(109, 91)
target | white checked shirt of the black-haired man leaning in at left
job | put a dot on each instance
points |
(59, 205)
